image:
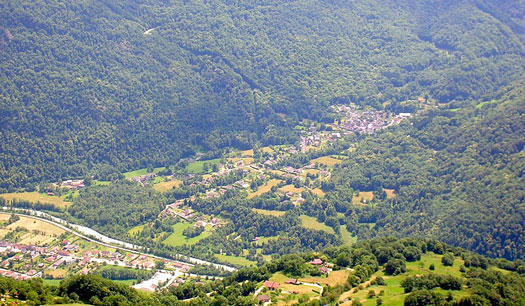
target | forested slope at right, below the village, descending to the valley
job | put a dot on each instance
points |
(458, 174)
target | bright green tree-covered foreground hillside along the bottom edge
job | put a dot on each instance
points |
(479, 281)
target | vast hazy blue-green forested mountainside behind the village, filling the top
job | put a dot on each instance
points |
(135, 83)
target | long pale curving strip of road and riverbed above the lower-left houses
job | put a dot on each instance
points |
(96, 237)
